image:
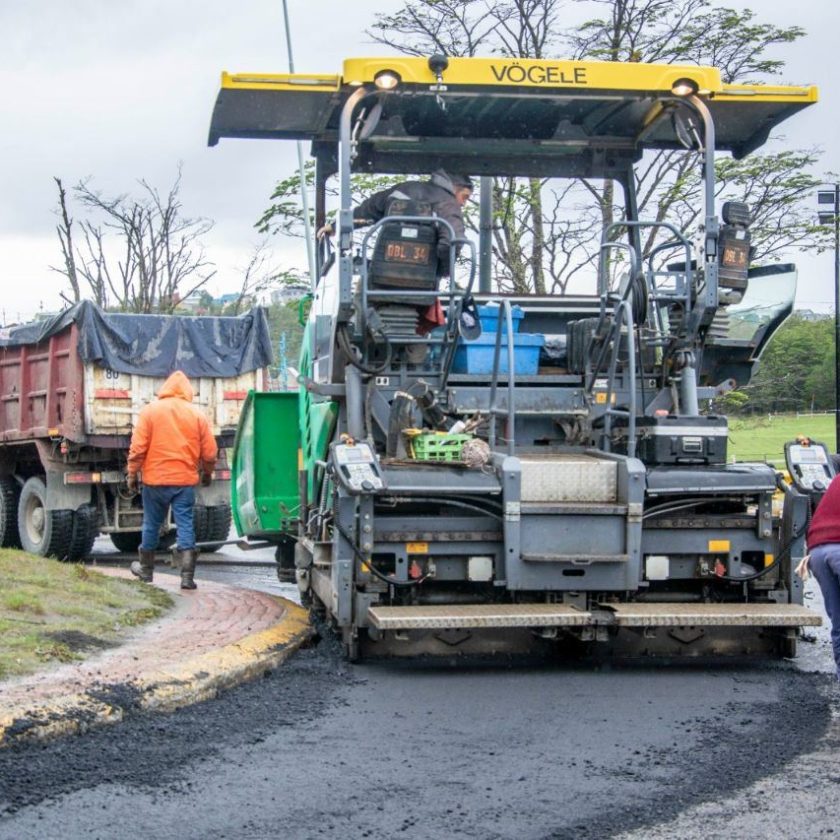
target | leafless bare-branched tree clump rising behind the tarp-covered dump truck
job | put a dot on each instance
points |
(138, 254)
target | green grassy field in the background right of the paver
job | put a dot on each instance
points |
(763, 438)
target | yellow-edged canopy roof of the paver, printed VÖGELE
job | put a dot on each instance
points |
(490, 106)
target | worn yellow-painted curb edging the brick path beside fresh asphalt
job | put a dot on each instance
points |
(186, 682)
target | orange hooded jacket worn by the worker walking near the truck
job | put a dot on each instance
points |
(172, 438)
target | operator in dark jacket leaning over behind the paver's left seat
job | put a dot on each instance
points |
(438, 193)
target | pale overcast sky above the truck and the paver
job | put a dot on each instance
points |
(118, 91)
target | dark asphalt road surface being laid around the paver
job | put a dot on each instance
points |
(321, 749)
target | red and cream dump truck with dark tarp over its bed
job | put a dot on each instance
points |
(71, 388)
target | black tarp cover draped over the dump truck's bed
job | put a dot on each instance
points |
(157, 345)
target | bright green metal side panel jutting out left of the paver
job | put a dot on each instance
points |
(265, 465)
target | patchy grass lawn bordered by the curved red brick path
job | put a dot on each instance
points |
(59, 612)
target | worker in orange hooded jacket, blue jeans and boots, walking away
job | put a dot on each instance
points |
(172, 449)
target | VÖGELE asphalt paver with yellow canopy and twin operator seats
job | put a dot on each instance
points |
(540, 470)
